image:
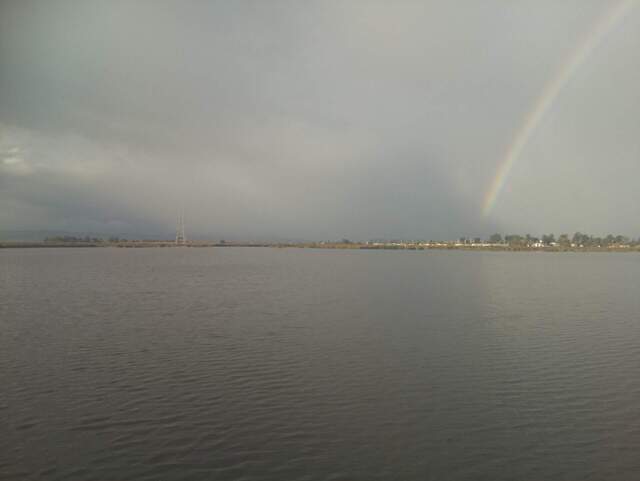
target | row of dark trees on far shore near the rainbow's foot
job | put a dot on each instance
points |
(563, 240)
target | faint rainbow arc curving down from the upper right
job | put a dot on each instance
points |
(548, 96)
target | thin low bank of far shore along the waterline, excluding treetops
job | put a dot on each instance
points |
(321, 245)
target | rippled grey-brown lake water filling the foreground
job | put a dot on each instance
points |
(282, 364)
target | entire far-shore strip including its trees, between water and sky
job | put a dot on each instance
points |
(548, 243)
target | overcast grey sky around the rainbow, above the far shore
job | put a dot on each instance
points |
(314, 120)
